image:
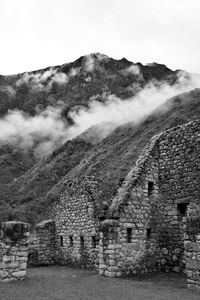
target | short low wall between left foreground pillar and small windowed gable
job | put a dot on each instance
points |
(42, 244)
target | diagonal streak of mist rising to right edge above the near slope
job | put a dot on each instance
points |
(133, 109)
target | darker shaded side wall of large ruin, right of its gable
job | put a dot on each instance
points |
(179, 185)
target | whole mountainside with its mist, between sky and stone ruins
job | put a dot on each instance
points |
(91, 117)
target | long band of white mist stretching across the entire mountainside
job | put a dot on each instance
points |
(48, 130)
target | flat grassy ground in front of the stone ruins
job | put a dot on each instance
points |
(57, 283)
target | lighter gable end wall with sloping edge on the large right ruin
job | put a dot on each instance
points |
(130, 245)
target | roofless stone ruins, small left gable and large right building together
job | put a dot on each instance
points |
(145, 226)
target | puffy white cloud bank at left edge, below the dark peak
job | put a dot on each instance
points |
(43, 132)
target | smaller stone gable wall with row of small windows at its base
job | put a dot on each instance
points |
(77, 228)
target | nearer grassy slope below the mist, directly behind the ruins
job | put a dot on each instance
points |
(108, 161)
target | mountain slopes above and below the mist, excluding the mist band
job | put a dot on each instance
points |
(30, 184)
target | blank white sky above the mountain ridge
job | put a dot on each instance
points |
(39, 33)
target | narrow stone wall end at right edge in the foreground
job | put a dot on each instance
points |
(192, 247)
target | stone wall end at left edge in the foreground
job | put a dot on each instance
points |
(13, 250)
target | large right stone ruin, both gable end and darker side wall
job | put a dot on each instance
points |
(151, 206)
